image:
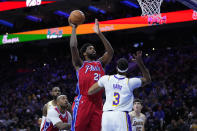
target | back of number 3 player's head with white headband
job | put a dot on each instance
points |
(122, 65)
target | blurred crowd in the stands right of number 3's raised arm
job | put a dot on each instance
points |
(170, 101)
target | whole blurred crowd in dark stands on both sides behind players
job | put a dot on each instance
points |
(169, 101)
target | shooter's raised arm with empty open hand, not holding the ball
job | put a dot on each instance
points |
(106, 58)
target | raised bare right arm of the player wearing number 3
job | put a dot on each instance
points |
(146, 79)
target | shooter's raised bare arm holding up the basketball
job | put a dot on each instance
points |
(76, 60)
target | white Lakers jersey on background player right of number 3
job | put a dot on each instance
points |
(137, 122)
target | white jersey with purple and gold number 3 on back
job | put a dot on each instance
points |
(119, 92)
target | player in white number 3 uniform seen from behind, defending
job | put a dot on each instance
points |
(119, 94)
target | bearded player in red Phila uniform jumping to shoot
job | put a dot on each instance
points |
(87, 110)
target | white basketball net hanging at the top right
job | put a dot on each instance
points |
(150, 7)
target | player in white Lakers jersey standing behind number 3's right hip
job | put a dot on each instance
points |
(137, 118)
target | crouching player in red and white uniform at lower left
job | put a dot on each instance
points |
(58, 118)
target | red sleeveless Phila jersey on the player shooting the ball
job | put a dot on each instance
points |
(87, 75)
